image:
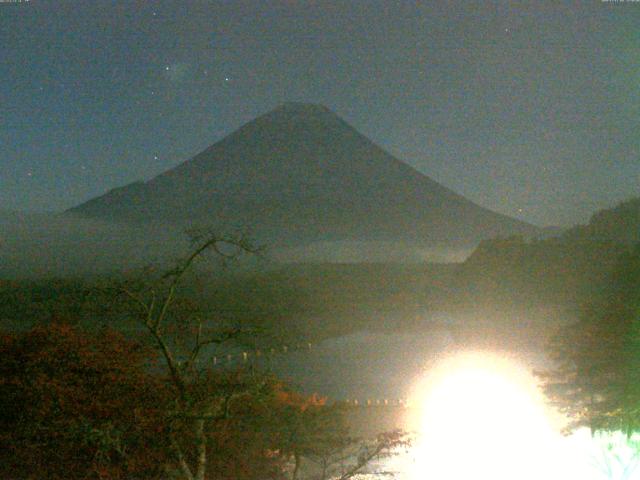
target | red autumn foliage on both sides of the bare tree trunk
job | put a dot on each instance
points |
(79, 405)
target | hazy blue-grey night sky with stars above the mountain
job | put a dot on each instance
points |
(530, 109)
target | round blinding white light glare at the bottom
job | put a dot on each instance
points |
(482, 417)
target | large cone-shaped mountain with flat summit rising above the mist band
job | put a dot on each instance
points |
(301, 174)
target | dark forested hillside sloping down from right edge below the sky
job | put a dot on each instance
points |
(563, 270)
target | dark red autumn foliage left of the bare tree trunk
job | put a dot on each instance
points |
(78, 405)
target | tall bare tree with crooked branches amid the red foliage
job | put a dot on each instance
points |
(156, 307)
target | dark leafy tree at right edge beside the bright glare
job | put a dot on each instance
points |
(596, 380)
